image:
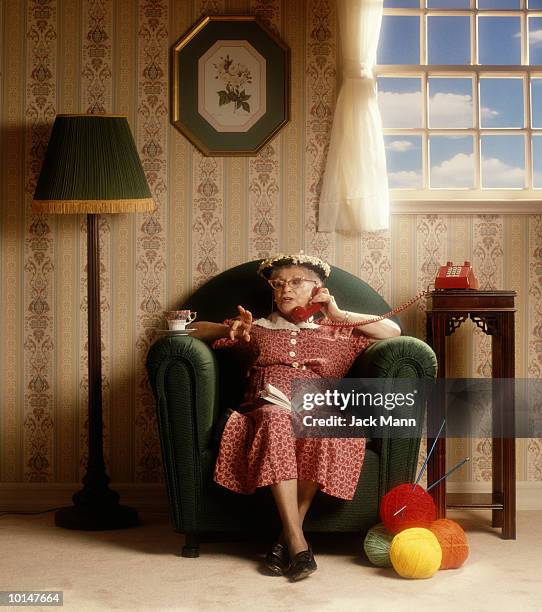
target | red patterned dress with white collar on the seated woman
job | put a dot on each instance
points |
(258, 447)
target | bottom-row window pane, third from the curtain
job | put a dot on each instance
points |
(503, 161)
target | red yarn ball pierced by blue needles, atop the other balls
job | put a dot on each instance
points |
(420, 509)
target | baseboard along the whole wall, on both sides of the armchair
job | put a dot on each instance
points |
(152, 497)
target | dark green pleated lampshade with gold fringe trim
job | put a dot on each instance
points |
(92, 166)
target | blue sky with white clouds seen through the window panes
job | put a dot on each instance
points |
(450, 99)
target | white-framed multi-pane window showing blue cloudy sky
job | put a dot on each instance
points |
(459, 87)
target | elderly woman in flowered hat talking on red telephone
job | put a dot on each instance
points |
(258, 447)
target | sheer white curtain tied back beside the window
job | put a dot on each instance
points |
(354, 193)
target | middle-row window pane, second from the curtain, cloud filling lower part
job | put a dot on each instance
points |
(450, 103)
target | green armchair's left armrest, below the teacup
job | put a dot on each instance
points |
(183, 376)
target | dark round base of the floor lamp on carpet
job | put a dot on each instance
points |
(96, 518)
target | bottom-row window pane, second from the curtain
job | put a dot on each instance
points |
(451, 161)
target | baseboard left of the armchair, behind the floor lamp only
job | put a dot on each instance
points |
(29, 497)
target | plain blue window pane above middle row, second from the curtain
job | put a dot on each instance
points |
(448, 40)
